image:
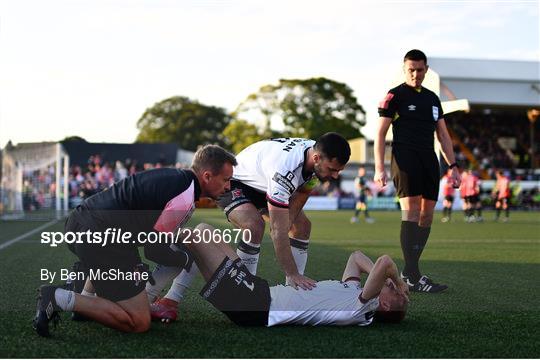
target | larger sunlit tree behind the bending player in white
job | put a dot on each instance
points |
(308, 108)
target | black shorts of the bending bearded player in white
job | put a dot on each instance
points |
(241, 194)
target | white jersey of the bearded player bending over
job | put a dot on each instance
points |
(274, 167)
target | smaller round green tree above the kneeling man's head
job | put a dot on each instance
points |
(183, 121)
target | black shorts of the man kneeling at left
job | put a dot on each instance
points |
(100, 259)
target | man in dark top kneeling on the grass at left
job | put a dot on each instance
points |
(159, 200)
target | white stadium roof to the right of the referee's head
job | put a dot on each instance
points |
(490, 82)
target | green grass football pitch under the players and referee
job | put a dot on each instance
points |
(492, 308)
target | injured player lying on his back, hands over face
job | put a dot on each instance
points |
(248, 300)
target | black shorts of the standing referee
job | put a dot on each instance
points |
(415, 172)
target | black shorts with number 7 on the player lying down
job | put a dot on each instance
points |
(243, 297)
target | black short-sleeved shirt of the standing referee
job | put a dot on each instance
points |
(415, 114)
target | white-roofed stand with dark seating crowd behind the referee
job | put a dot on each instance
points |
(497, 132)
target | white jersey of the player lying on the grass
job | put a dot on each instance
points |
(332, 302)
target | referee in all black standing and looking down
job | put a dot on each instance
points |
(415, 113)
